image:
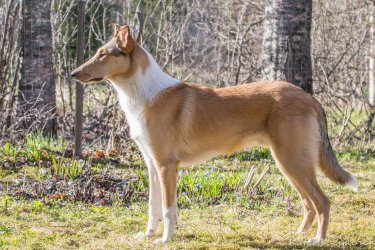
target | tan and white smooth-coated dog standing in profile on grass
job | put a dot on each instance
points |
(175, 123)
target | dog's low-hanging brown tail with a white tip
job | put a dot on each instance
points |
(328, 161)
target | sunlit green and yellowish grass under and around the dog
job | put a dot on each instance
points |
(215, 209)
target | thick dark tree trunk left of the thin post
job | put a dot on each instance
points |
(37, 104)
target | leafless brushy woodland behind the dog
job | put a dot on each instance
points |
(218, 43)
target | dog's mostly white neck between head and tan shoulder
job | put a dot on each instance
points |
(140, 89)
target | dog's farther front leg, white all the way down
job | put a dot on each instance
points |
(155, 201)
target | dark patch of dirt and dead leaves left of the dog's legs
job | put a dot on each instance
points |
(100, 189)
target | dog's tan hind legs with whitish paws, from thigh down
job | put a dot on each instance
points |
(296, 150)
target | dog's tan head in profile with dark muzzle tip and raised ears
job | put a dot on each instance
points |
(115, 58)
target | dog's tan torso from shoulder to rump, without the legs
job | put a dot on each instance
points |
(200, 119)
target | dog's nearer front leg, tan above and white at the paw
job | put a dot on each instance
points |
(168, 181)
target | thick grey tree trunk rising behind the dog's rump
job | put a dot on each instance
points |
(286, 42)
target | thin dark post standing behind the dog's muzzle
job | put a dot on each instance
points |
(79, 88)
